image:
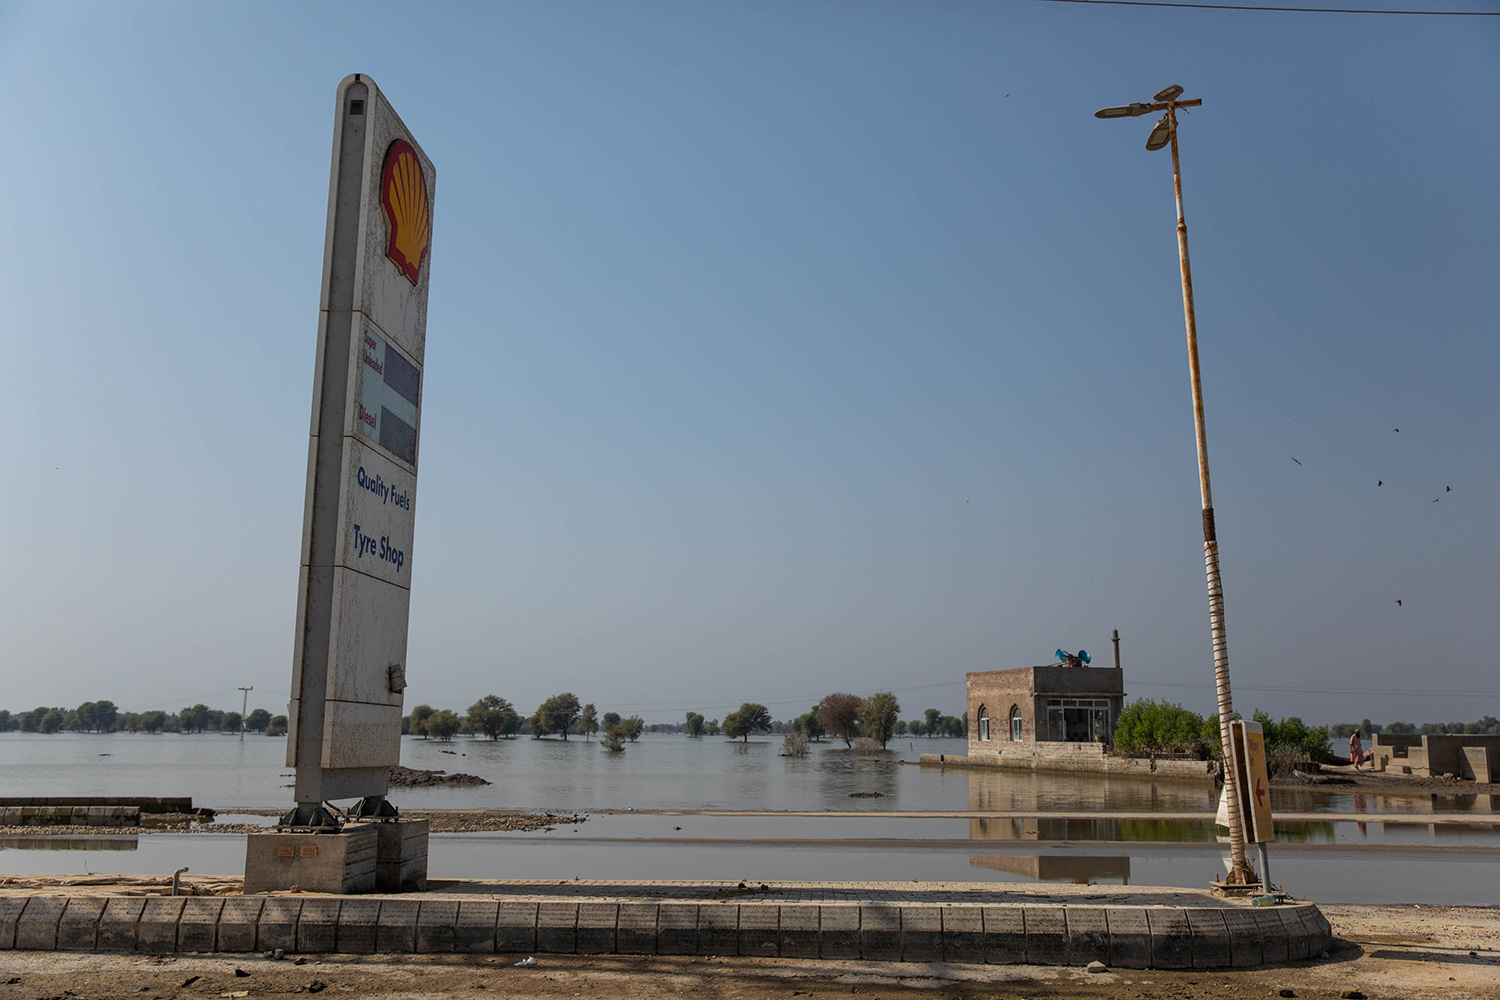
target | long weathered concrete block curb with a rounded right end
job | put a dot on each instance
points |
(1120, 936)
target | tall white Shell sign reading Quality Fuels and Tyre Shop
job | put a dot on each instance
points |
(358, 540)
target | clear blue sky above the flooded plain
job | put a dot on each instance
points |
(775, 349)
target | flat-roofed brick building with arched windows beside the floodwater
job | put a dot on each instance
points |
(1033, 707)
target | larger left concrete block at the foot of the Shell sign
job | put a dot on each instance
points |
(316, 863)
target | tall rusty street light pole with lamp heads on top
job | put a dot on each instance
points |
(1168, 101)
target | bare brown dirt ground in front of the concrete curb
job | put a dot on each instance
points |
(1397, 953)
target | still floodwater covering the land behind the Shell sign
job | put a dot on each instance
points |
(629, 837)
